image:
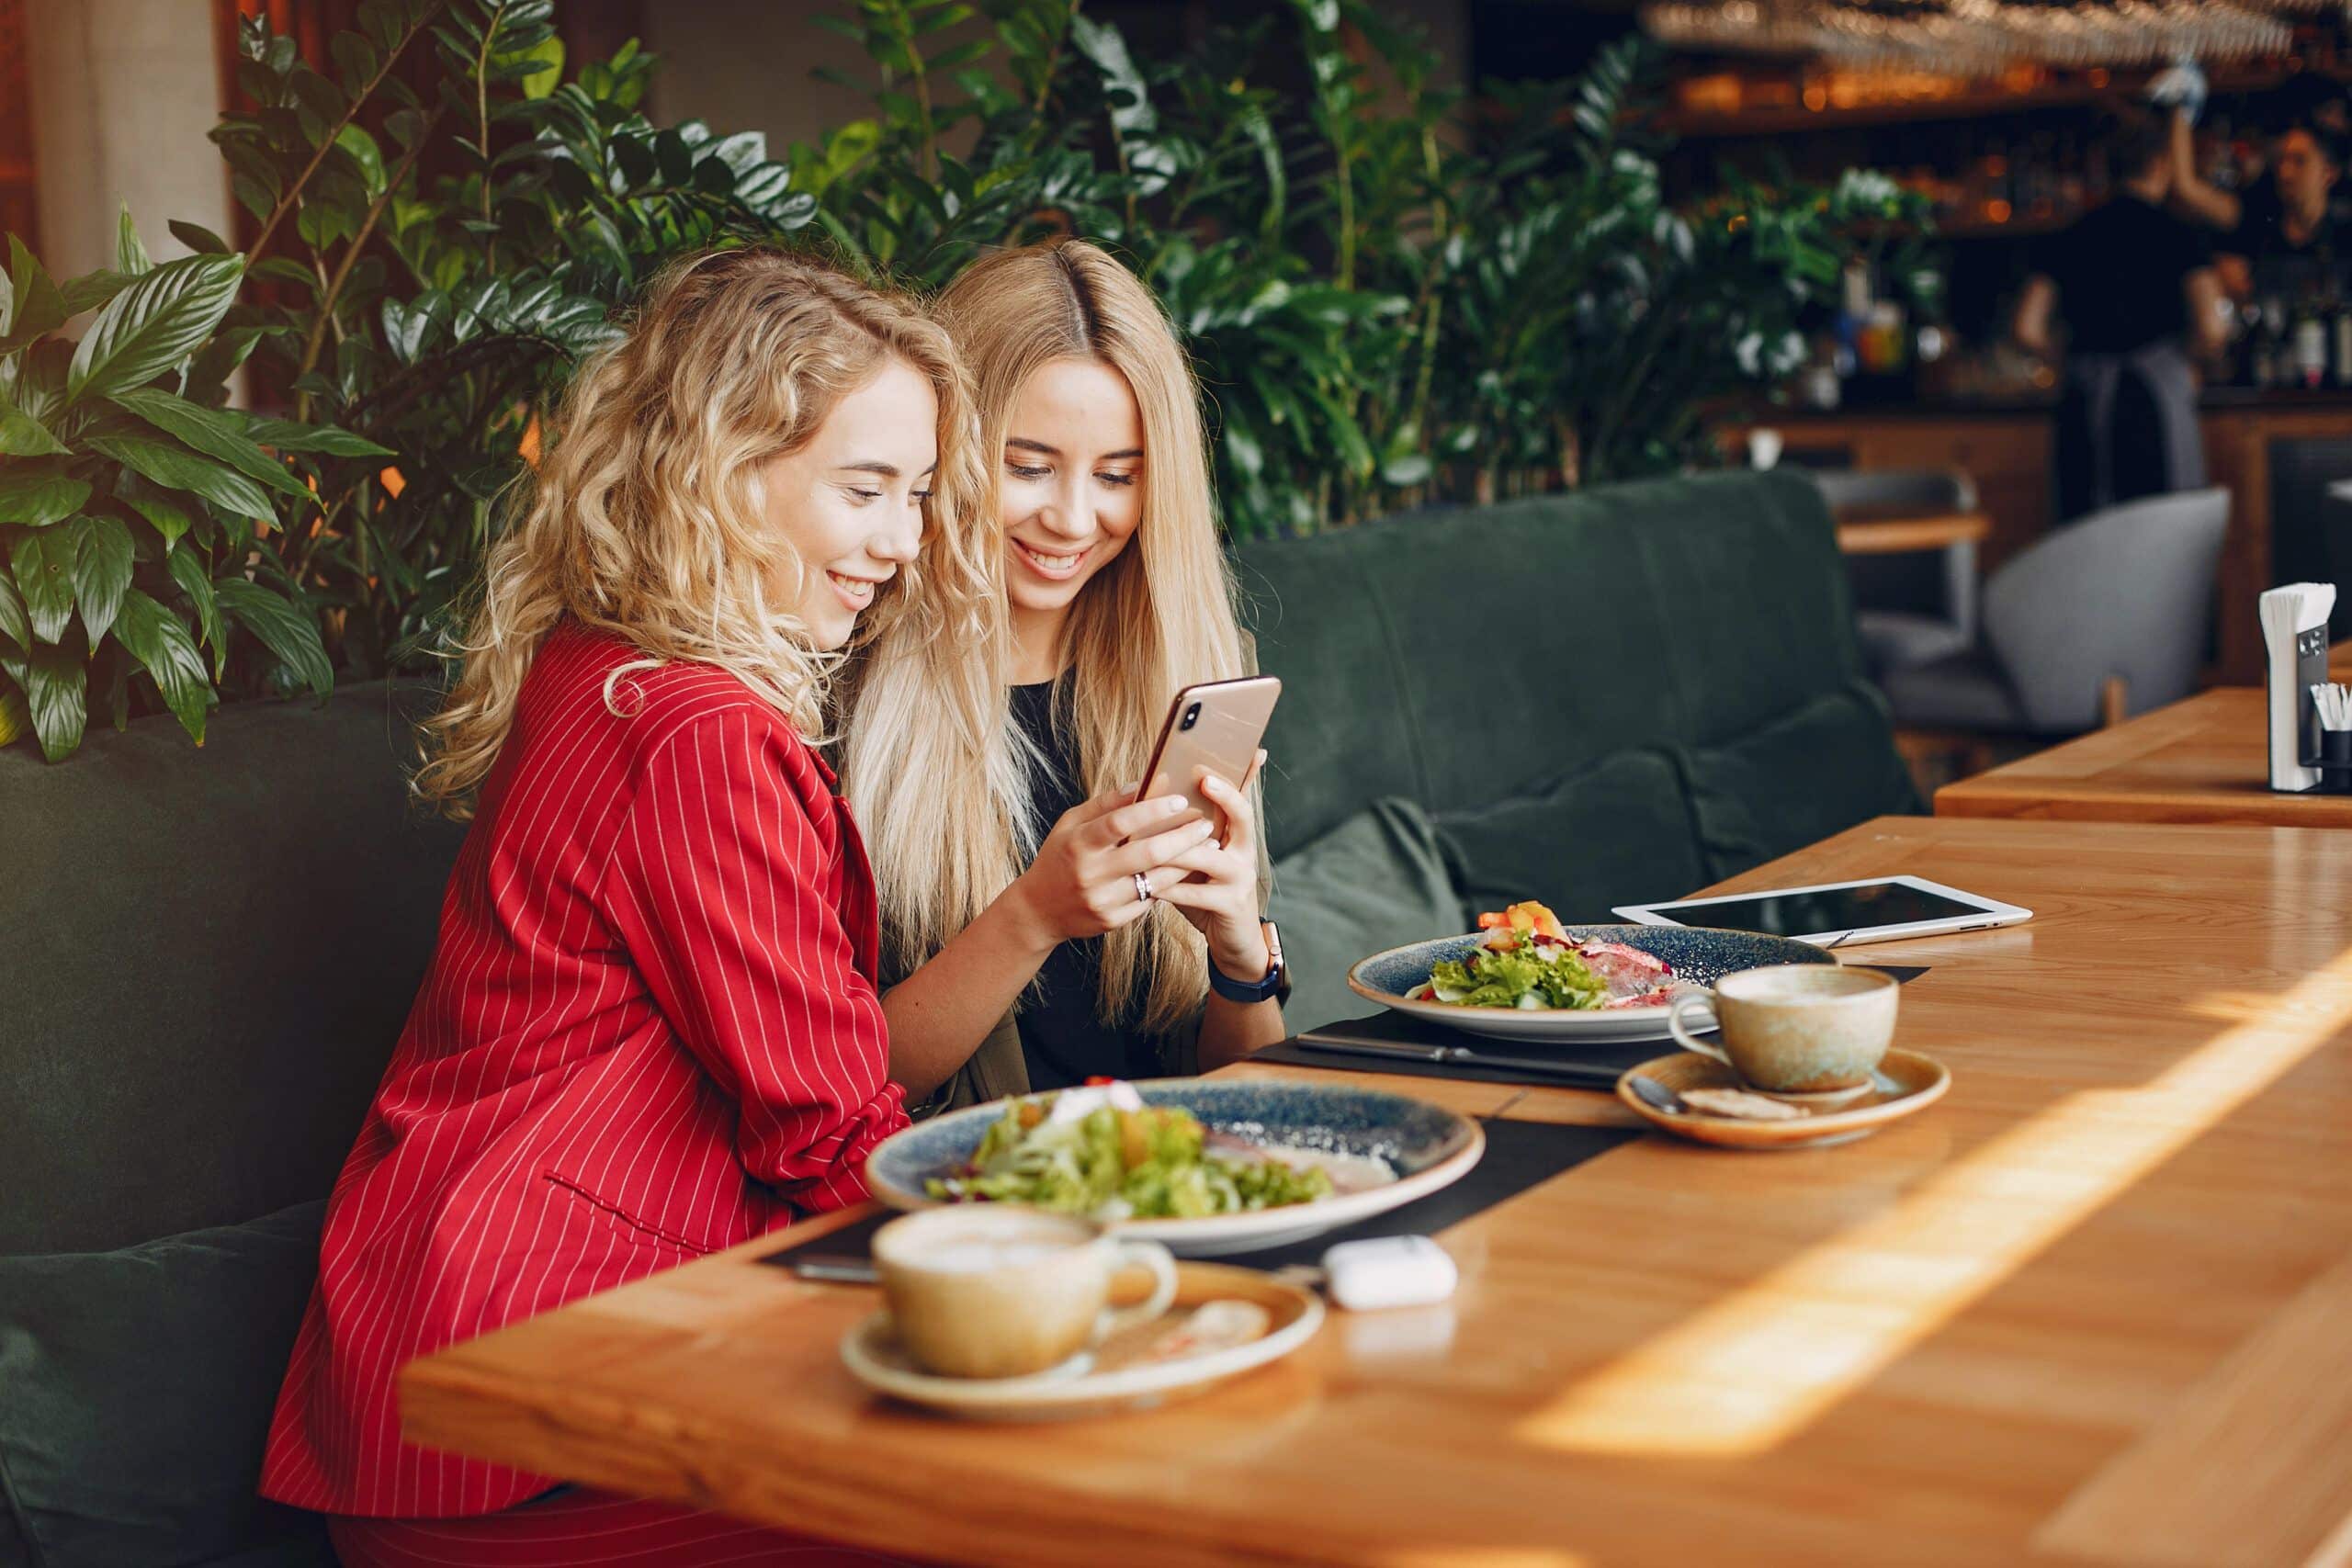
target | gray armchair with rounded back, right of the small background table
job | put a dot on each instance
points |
(2120, 596)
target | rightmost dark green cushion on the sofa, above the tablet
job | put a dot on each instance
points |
(1798, 779)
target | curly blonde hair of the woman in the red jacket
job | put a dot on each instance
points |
(648, 511)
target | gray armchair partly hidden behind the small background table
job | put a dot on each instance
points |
(1916, 608)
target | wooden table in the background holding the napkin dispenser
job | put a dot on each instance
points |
(2203, 760)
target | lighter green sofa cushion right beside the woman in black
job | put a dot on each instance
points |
(1370, 885)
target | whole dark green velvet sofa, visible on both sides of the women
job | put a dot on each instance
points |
(206, 953)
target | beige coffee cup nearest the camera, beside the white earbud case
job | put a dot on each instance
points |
(1003, 1292)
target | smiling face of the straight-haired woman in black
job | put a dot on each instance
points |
(1071, 483)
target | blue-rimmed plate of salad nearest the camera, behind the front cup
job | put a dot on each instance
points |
(1205, 1167)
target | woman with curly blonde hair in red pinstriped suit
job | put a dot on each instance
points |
(650, 1026)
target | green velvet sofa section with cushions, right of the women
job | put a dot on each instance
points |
(1591, 699)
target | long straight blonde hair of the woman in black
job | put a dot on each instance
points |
(949, 826)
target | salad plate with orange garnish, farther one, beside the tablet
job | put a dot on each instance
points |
(1528, 977)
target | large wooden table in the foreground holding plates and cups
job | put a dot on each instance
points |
(2094, 1308)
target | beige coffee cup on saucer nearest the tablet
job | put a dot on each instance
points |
(1796, 1028)
